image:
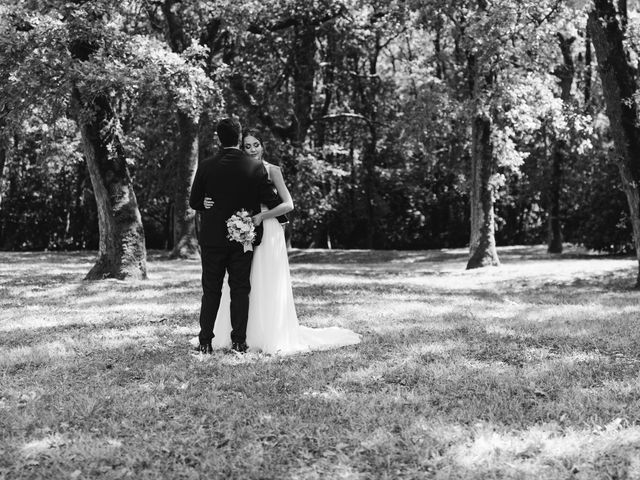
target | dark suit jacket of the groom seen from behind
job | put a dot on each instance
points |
(234, 181)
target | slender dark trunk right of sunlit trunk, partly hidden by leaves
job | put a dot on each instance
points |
(565, 74)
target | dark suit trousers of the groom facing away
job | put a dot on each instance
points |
(215, 262)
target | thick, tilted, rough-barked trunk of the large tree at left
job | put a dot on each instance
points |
(122, 252)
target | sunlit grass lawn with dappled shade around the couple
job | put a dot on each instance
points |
(530, 370)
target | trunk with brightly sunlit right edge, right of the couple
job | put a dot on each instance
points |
(482, 245)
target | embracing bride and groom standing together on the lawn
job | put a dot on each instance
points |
(254, 310)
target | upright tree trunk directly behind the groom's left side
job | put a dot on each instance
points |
(185, 243)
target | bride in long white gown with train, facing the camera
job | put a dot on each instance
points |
(273, 324)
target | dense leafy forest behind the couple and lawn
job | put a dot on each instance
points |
(400, 124)
